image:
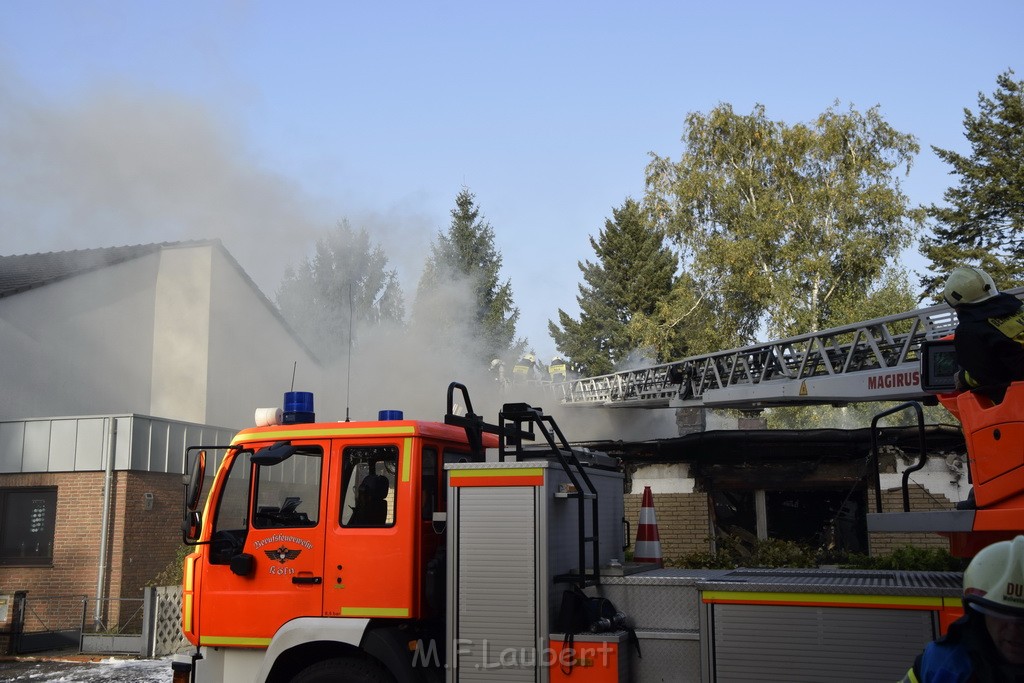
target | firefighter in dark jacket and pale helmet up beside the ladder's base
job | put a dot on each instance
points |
(990, 336)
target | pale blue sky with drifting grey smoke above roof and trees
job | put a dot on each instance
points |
(265, 123)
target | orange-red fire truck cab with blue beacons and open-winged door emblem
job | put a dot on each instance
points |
(321, 548)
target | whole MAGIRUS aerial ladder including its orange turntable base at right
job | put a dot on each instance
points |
(904, 358)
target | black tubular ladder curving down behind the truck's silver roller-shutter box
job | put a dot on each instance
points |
(521, 422)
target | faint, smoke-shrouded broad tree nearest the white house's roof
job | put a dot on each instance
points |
(346, 282)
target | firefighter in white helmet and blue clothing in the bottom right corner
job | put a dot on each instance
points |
(988, 644)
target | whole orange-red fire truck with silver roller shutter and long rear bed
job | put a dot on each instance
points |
(406, 551)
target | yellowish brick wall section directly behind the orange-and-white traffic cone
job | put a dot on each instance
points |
(682, 523)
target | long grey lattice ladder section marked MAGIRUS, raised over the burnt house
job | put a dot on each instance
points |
(866, 362)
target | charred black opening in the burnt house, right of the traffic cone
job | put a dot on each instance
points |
(830, 519)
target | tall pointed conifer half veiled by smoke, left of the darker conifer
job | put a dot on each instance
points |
(460, 294)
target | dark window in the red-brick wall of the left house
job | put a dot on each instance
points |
(27, 526)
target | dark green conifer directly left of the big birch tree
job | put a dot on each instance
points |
(633, 273)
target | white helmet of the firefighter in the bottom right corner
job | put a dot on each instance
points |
(994, 582)
